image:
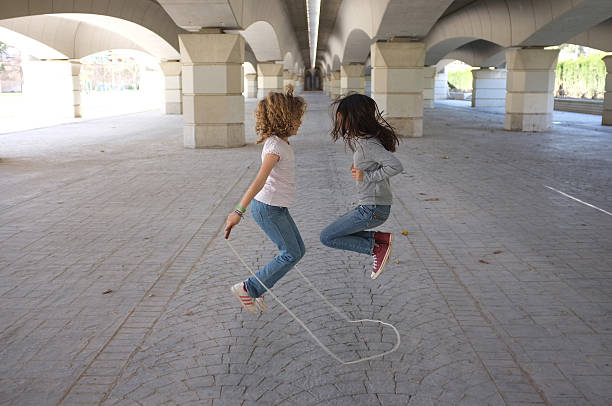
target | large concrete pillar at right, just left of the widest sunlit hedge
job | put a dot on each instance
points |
(530, 87)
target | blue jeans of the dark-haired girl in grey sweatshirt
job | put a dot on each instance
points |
(347, 232)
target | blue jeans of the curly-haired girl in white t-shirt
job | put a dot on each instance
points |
(277, 223)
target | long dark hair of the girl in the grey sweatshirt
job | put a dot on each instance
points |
(357, 116)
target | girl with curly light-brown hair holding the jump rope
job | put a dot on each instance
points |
(278, 117)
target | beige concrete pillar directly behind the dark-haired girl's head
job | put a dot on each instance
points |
(397, 84)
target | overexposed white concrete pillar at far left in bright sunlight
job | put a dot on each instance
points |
(52, 88)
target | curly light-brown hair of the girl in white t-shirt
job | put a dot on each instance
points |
(277, 114)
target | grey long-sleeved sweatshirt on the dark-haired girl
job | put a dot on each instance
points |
(378, 165)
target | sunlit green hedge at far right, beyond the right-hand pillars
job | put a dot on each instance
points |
(584, 77)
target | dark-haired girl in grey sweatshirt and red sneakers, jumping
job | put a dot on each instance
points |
(359, 123)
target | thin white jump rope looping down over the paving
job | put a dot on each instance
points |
(344, 316)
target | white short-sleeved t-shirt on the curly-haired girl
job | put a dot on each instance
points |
(279, 189)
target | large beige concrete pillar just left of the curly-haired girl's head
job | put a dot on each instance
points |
(212, 82)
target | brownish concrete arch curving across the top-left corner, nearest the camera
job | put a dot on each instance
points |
(145, 13)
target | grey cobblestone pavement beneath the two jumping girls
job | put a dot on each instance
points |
(501, 288)
